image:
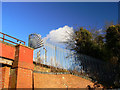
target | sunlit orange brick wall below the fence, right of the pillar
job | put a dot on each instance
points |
(60, 81)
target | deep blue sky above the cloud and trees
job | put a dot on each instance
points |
(19, 19)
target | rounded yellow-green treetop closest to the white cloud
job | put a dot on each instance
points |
(83, 41)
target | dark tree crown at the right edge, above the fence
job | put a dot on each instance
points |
(113, 40)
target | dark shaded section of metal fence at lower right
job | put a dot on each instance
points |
(103, 72)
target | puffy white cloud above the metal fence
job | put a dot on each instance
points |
(61, 34)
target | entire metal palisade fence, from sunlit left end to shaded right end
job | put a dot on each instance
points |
(60, 58)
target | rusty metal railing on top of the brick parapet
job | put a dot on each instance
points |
(4, 39)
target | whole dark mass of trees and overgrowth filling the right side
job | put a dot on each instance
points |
(105, 47)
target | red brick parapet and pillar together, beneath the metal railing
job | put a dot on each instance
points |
(23, 64)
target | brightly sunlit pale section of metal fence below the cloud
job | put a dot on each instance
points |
(54, 56)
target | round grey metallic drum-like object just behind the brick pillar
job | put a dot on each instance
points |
(35, 41)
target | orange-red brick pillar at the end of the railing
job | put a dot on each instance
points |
(24, 65)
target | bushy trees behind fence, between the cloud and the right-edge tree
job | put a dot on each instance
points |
(85, 43)
